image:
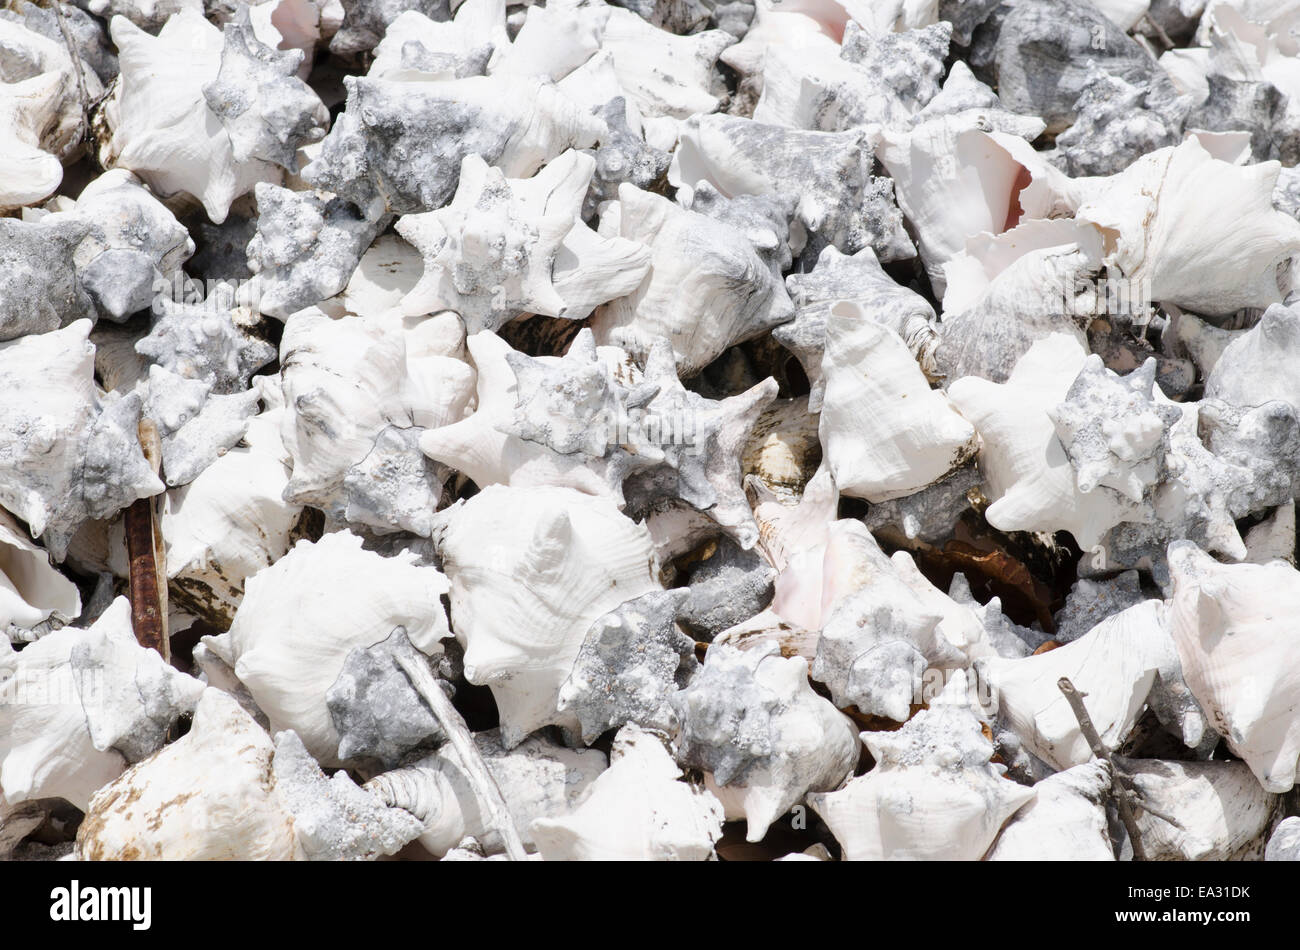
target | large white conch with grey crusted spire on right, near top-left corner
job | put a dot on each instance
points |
(192, 124)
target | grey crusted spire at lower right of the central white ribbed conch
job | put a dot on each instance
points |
(631, 663)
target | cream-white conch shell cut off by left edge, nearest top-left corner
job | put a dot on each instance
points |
(41, 114)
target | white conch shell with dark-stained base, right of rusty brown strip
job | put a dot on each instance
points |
(231, 522)
